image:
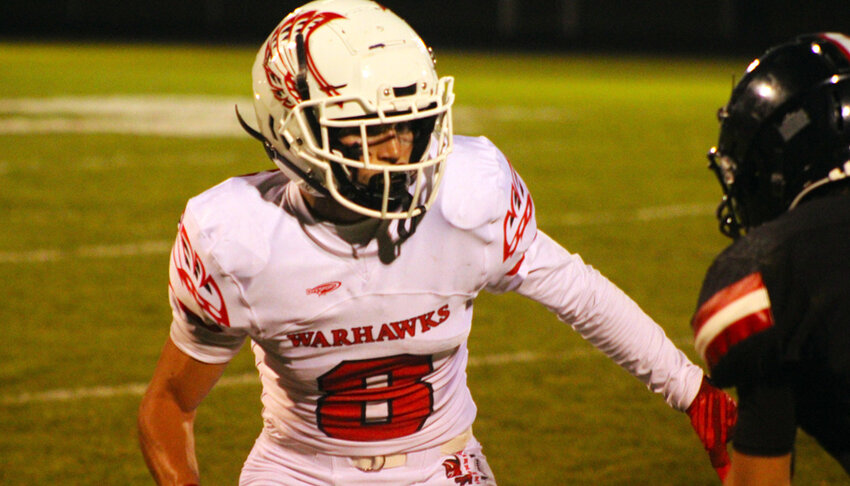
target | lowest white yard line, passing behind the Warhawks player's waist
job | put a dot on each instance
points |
(137, 389)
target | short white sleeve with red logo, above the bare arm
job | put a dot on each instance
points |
(209, 318)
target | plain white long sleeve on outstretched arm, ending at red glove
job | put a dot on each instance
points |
(607, 318)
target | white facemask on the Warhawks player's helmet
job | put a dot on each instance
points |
(395, 191)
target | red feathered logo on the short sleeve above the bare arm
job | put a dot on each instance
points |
(196, 281)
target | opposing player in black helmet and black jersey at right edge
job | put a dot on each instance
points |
(773, 318)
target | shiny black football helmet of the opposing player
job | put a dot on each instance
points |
(785, 130)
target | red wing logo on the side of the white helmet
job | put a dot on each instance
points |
(281, 47)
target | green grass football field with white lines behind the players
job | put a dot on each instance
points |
(92, 184)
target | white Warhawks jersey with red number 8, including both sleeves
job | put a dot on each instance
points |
(360, 341)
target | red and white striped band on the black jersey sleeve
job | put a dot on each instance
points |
(730, 316)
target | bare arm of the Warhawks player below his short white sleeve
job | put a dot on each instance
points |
(167, 414)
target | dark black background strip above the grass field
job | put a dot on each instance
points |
(711, 26)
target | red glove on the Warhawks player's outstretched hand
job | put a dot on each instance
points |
(713, 416)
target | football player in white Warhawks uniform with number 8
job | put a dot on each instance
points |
(354, 277)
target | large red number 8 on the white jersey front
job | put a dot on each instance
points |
(375, 399)
